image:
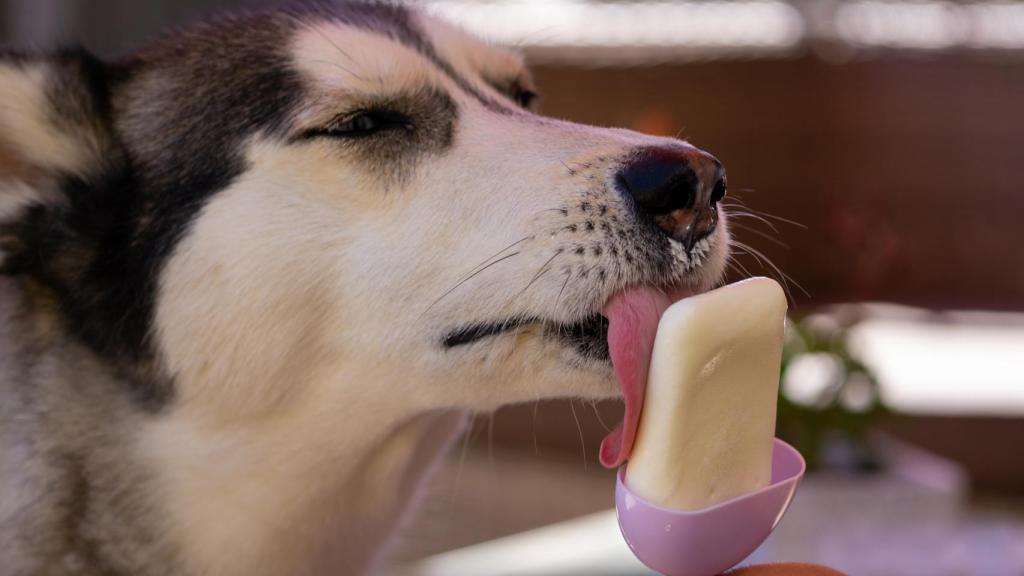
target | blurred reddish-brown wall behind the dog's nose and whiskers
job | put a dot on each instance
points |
(906, 172)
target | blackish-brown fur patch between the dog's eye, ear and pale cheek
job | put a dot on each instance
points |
(167, 147)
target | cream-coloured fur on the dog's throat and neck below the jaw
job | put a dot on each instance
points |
(310, 492)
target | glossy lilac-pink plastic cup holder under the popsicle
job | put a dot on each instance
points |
(709, 542)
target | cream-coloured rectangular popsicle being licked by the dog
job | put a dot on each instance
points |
(709, 416)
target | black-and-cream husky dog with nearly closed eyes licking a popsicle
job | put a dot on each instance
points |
(255, 275)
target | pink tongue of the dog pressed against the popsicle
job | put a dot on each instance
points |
(633, 318)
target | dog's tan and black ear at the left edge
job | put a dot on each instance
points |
(55, 125)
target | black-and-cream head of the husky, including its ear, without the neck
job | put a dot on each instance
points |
(354, 205)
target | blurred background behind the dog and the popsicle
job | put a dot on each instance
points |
(876, 158)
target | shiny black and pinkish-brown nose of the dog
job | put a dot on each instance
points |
(678, 188)
